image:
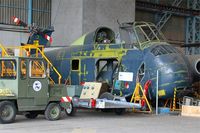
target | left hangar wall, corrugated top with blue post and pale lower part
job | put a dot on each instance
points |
(29, 11)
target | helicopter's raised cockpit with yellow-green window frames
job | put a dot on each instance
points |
(140, 34)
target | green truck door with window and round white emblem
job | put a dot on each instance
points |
(37, 82)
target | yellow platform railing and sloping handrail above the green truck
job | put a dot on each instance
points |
(25, 51)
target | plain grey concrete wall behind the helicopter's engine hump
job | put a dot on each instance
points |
(72, 18)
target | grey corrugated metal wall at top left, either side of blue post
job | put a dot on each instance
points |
(41, 11)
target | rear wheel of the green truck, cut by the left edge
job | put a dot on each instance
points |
(7, 112)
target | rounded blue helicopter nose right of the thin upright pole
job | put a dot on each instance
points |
(172, 74)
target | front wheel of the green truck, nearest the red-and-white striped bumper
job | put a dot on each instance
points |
(52, 112)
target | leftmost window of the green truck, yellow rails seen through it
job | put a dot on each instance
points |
(8, 69)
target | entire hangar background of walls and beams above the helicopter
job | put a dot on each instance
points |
(177, 19)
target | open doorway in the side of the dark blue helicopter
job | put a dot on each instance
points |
(106, 69)
